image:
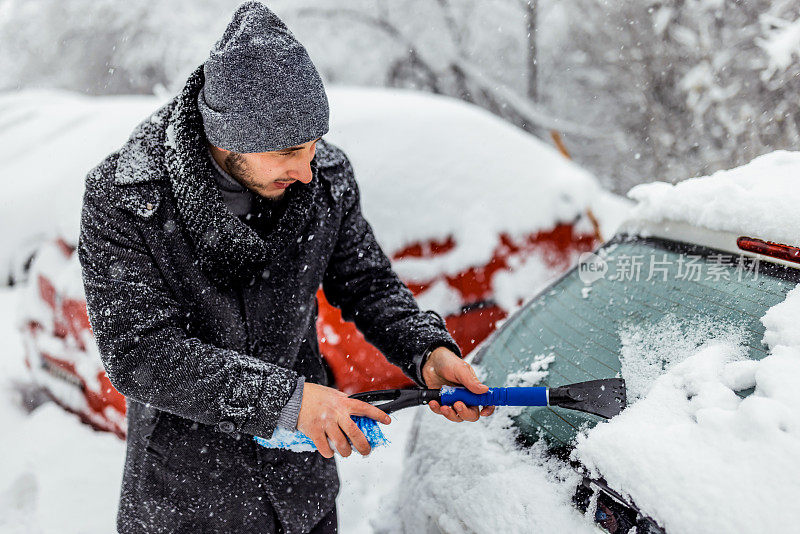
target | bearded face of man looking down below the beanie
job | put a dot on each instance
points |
(268, 174)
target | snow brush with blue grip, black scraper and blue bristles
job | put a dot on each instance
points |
(606, 398)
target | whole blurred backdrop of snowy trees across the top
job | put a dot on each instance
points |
(660, 89)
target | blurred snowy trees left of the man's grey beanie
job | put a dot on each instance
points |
(106, 46)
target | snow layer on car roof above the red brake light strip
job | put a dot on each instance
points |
(759, 199)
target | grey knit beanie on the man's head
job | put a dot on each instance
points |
(262, 92)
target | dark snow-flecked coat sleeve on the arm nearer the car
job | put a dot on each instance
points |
(360, 281)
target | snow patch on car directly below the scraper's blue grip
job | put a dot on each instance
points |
(472, 477)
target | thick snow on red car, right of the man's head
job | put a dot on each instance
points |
(433, 167)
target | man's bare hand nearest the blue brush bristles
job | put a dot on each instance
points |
(325, 418)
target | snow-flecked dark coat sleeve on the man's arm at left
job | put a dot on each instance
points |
(147, 353)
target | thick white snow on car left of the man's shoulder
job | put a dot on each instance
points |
(49, 140)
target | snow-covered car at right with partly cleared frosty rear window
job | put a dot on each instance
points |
(711, 439)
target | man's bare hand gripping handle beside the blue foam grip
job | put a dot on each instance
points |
(445, 368)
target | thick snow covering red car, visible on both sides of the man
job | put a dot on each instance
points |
(429, 167)
